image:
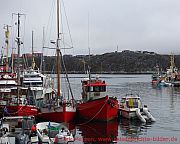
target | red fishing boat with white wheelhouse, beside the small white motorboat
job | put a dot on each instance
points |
(96, 104)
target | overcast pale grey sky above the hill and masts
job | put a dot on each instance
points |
(152, 25)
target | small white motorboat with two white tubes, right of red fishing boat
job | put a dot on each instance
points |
(131, 107)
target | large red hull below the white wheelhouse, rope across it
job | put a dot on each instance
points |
(103, 109)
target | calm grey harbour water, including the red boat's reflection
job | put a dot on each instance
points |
(163, 103)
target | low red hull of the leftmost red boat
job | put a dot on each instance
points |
(20, 110)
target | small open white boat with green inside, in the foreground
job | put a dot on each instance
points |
(53, 133)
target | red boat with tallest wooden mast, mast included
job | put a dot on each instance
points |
(56, 107)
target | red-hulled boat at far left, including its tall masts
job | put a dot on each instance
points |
(14, 100)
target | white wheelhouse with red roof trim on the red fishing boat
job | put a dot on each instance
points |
(93, 89)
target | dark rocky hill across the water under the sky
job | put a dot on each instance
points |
(114, 62)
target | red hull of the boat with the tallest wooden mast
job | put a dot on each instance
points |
(64, 114)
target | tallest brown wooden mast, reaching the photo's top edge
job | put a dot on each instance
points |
(58, 51)
